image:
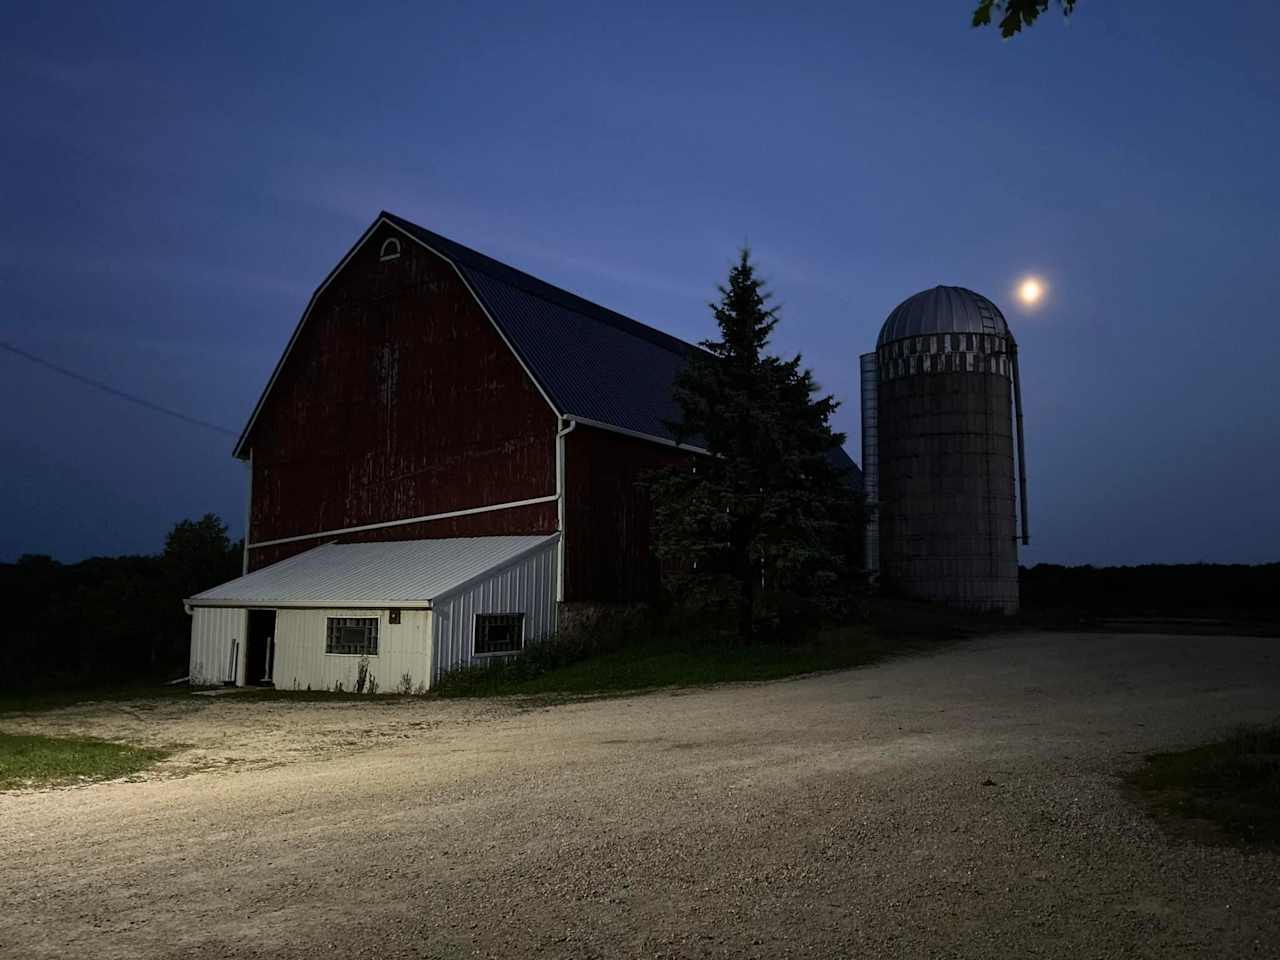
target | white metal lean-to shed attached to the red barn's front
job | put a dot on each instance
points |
(396, 614)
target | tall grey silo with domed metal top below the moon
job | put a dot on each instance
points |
(939, 445)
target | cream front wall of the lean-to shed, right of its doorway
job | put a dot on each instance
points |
(301, 662)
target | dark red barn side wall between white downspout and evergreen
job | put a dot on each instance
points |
(609, 541)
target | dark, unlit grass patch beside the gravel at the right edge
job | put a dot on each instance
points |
(1227, 790)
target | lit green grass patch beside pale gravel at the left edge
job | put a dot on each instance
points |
(40, 761)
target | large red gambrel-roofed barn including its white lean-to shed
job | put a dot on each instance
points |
(432, 394)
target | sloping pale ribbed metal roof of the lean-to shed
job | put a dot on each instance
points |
(396, 574)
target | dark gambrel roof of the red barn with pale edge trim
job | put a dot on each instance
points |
(591, 363)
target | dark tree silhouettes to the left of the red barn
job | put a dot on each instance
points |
(109, 620)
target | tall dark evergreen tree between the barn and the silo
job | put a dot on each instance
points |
(761, 527)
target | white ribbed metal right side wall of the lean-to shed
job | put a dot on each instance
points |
(525, 587)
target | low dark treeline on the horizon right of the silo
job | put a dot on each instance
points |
(1218, 591)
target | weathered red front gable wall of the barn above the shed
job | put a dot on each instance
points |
(399, 400)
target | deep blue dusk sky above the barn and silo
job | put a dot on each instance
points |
(179, 180)
